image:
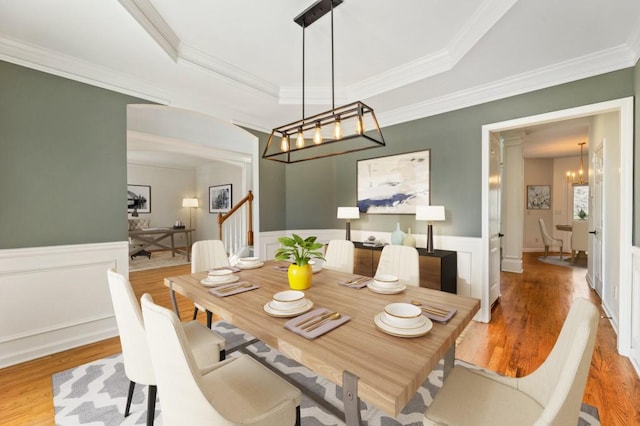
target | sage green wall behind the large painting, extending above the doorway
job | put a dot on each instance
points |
(314, 189)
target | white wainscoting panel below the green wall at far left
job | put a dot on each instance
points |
(56, 298)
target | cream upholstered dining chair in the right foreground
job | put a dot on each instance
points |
(551, 395)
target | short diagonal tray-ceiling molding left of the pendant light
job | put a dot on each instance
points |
(151, 21)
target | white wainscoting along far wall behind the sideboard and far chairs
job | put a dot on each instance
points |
(469, 258)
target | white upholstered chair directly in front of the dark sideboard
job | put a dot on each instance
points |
(401, 261)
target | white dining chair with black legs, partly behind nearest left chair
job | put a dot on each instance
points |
(207, 347)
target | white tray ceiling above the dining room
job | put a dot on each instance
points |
(241, 60)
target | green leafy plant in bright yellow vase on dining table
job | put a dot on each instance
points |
(302, 251)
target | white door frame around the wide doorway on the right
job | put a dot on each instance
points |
(617, 218)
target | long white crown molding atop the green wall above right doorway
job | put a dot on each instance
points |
(586, 66)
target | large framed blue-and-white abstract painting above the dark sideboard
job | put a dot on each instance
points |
(395, 184)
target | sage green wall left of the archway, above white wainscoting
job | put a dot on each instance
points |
(63, 167)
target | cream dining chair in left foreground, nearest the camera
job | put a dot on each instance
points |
(237, 391)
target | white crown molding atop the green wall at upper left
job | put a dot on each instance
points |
(55, 63)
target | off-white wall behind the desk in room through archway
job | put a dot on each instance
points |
(168, 187)
